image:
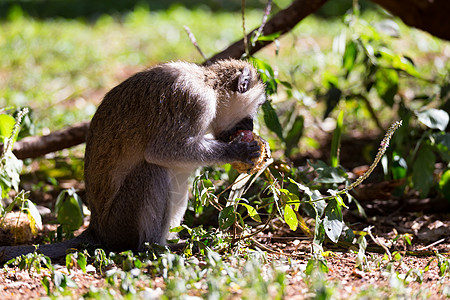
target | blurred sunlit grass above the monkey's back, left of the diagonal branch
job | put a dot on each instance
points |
(62, 68)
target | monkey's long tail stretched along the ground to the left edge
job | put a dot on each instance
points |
(56, 250)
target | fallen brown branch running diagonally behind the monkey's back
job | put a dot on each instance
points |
(282, 22)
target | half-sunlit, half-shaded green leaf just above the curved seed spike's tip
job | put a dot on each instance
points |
(386, 84)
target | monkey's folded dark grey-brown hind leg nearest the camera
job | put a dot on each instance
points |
(139, 210)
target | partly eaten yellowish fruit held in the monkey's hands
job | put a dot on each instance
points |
(258, 162)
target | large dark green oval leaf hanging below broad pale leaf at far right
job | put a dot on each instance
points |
(423, 169)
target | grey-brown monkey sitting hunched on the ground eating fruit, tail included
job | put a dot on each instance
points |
(147, 137)
